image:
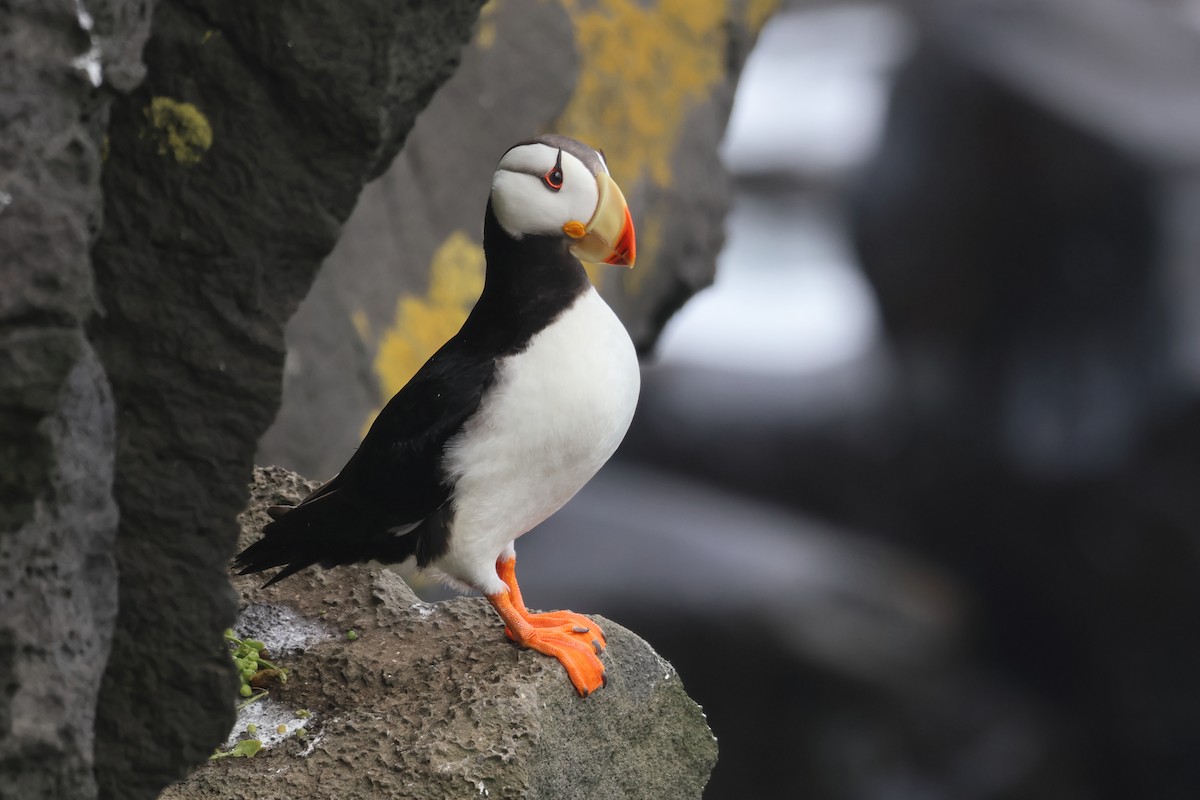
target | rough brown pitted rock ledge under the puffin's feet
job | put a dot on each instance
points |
(431, 701)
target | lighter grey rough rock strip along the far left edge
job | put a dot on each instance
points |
(58, 520)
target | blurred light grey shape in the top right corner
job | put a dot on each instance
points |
(1129, 71)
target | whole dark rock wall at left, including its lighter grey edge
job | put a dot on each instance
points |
(142, 380)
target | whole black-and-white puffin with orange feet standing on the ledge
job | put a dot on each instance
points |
(506, 423)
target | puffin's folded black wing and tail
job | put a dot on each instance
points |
(391, 501)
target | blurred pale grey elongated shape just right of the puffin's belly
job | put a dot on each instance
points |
(638, 539)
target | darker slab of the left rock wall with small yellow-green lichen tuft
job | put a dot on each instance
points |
(230, 172)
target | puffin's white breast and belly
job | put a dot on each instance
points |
(554, 417)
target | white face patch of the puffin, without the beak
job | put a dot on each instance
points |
(524, 195)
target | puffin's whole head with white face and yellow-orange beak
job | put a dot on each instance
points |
(559, 188)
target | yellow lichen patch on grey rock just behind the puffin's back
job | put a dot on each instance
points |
(424, 324)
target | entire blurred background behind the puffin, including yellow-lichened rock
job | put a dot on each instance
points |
(911, 496)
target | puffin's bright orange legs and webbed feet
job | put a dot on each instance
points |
(572, 639)
